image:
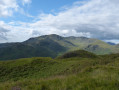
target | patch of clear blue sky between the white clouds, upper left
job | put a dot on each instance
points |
(36, 7)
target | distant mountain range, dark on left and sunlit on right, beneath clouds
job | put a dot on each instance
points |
(52, 46)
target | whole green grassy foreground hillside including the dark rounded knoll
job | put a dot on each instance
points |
(85, 71)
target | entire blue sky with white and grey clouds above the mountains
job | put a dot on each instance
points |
(23, 19)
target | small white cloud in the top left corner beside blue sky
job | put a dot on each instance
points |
(8, 7)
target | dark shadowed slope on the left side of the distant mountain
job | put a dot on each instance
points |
(45, 48)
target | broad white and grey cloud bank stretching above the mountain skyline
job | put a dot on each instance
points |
(90, 18)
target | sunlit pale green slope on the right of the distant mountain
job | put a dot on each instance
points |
(93, 45)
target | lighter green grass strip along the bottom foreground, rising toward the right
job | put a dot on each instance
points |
(100, 78)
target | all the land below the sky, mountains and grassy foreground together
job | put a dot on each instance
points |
(70, 67)
